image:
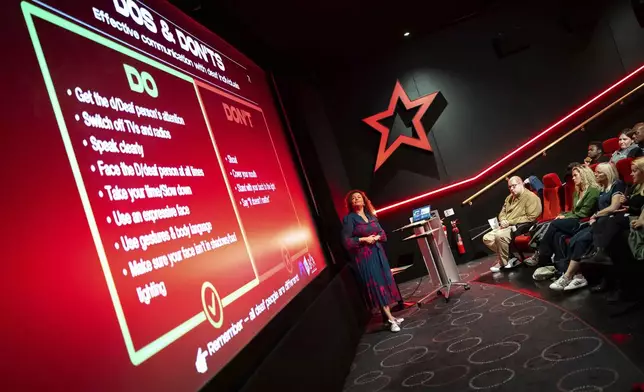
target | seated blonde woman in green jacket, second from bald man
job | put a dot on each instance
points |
(568, 223)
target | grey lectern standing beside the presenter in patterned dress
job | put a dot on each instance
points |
(437, 255)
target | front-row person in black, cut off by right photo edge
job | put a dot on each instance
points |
(605, 230)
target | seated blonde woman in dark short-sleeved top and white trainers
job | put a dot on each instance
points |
(611, 190)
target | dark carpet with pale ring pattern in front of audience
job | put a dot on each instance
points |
(490, 338)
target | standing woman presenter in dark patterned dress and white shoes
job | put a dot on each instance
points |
(363, 237)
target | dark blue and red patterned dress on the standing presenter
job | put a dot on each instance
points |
(371, 260)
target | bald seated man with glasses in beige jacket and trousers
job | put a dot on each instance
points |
(521, 206)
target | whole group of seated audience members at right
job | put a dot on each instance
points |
(594, 232)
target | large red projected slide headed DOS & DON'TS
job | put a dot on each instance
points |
(153, 218)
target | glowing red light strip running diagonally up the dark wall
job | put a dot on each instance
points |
(511, 154)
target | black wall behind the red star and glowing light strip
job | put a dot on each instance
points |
(494, 104)
